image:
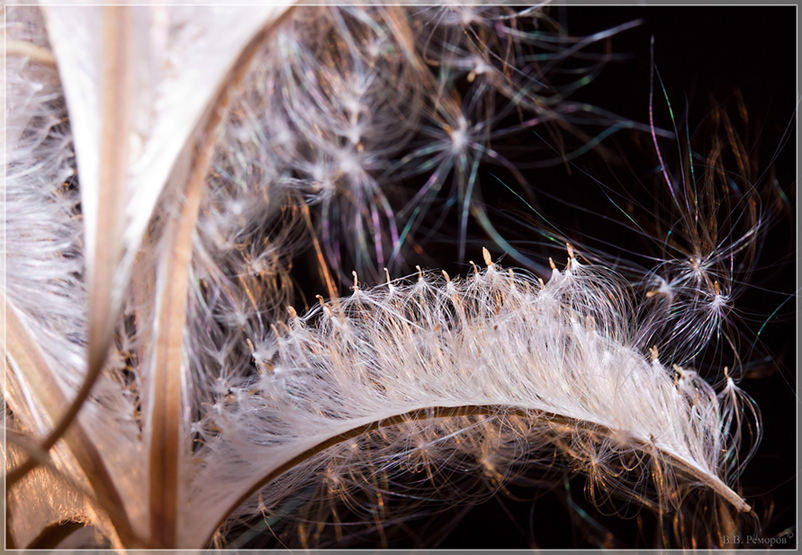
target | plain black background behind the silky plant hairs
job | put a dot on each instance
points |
(705, 56)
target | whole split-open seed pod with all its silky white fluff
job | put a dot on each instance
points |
(161, 387)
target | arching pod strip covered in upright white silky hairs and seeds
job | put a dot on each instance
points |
(561, 354)
